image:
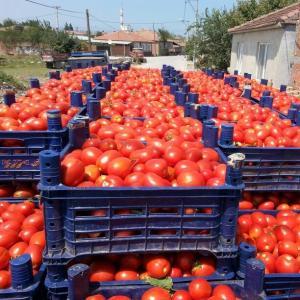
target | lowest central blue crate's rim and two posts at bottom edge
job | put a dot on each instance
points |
(79, 286)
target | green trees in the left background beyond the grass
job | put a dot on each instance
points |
(38, 34)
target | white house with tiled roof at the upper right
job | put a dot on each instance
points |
(266, 46)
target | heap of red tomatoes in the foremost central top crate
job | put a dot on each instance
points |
(115, 163)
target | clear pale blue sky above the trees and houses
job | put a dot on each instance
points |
(135, 11)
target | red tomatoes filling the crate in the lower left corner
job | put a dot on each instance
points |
(21, 231)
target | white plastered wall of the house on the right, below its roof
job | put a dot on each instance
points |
(280, 53)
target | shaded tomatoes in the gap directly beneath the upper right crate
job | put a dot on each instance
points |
(270, 200)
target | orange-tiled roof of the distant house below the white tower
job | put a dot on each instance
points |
(123, 36)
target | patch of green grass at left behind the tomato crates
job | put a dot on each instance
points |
(24, 67)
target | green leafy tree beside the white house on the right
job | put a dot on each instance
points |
(209, 39)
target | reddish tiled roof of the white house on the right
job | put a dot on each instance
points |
(285, 16)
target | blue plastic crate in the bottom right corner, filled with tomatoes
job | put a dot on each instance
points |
(286, 283)
